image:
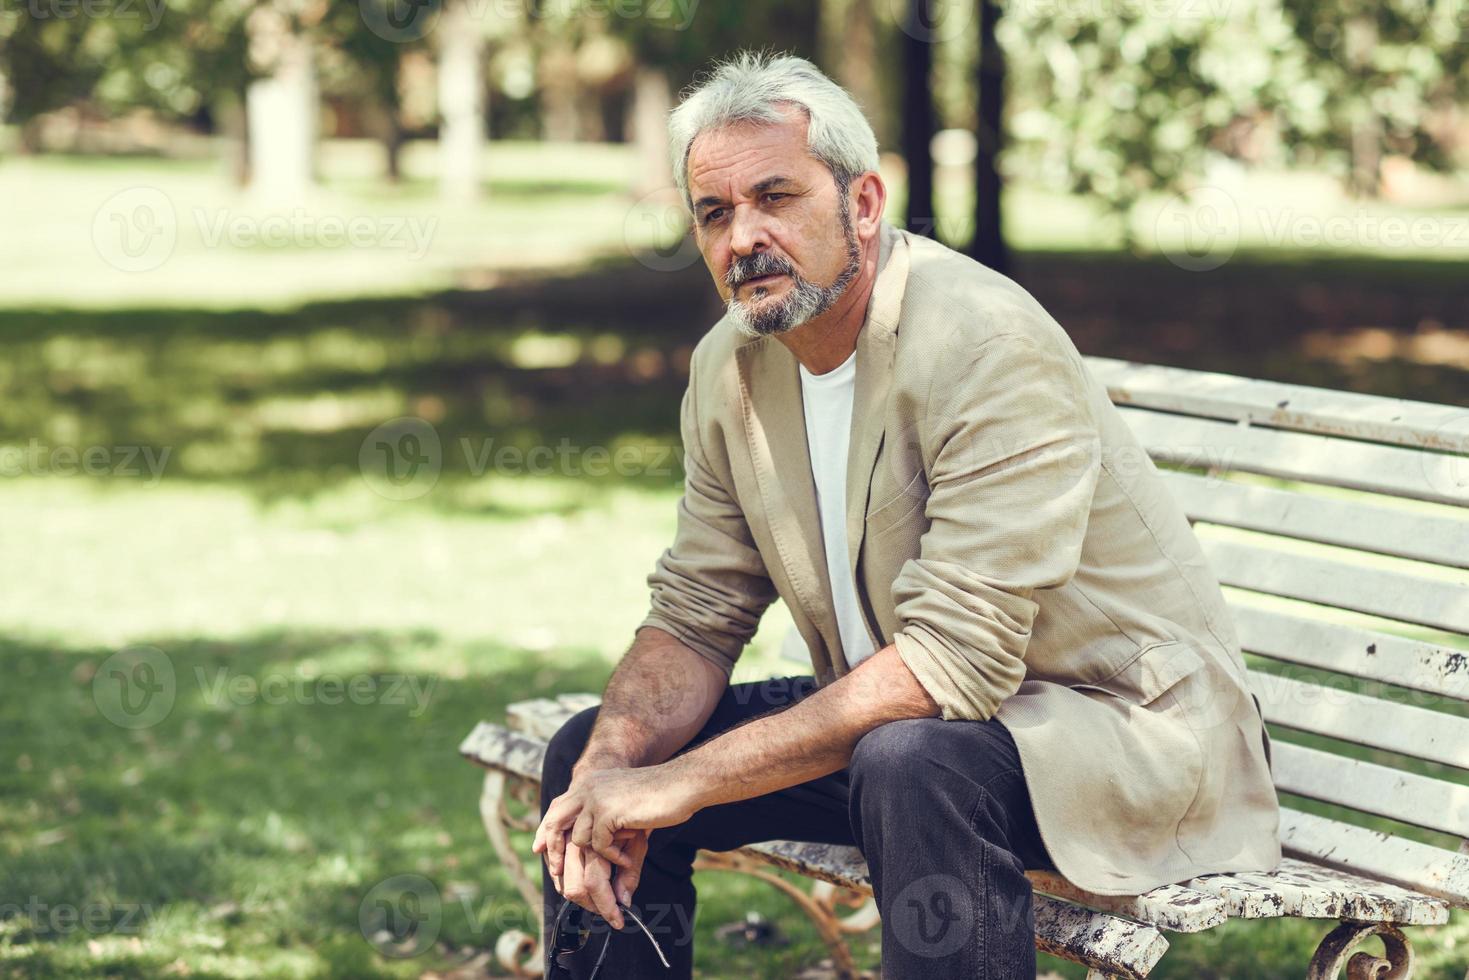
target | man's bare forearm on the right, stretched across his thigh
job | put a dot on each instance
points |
(807, 741)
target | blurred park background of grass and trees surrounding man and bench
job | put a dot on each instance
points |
(342, 349)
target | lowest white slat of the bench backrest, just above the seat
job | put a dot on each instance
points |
(1377, 854)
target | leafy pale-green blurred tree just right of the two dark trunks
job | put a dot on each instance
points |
(1130, 104)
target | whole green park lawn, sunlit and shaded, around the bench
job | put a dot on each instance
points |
(242, 835)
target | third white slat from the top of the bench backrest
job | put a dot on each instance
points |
(1323, 519)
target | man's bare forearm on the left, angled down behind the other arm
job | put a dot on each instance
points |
(659, 699)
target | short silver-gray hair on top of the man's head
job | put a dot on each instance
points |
(754, 87)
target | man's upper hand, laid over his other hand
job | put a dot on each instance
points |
(602, 804)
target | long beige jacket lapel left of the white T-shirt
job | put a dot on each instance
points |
(776, 431)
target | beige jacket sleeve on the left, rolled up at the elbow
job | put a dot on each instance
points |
(710, 588)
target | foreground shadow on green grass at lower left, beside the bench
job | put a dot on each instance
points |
(290, 775)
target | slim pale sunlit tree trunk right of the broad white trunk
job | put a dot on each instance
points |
(462, 102)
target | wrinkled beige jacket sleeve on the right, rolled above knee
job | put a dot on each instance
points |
(1014, 456)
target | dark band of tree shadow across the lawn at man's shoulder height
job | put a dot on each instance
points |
(596, 364)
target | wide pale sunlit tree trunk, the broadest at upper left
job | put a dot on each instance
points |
(281, 114)
